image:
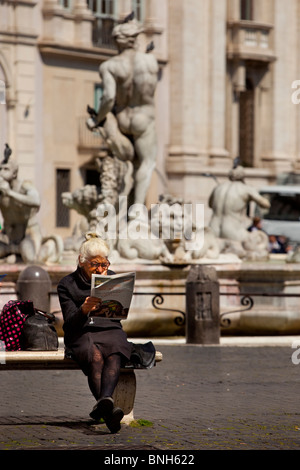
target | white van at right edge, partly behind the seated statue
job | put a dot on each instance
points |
(283, 217)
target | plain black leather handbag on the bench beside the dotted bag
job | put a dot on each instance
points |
(39, 333)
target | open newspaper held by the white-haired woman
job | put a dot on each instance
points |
(115, 292)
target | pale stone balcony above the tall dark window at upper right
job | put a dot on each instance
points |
(249, 40)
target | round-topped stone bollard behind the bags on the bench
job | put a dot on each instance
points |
(34, 284)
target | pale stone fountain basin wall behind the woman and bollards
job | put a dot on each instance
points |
(158, 305)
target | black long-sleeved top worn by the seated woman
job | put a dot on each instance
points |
(72, 291)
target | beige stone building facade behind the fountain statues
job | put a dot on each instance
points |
(227, 71)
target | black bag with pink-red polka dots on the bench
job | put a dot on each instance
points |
(12, 319)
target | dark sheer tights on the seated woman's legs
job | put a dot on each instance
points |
(104, 374)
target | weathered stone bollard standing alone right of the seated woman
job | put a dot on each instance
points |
(202, 306)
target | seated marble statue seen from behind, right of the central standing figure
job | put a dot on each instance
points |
(228, 202)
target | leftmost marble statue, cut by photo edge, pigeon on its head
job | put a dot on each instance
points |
(21, 235)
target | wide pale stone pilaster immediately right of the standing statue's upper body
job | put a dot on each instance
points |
(189, 78)
